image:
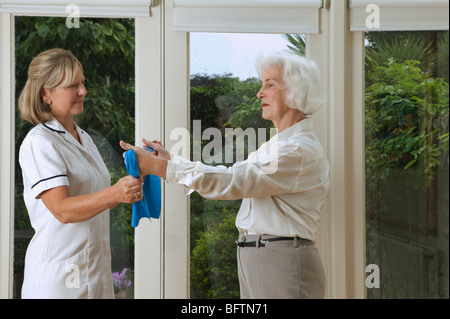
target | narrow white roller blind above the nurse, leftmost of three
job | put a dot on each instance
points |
(83, 8)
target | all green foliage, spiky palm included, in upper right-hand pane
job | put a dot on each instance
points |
(406, 107)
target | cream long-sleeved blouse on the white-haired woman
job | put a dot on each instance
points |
(283, 184)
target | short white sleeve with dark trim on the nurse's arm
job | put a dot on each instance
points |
(42, 165)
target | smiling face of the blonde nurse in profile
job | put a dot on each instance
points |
(67, 101)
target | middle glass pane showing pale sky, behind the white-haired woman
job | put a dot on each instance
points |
(223, 91)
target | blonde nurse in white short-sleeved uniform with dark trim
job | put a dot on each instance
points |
(67, 188)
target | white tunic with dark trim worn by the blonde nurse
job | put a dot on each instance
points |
(64, 260)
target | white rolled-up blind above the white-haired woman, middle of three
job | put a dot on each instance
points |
(265, 16)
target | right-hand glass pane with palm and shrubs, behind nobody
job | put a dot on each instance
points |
(406, 120)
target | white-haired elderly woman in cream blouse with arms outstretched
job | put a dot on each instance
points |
(282, 192)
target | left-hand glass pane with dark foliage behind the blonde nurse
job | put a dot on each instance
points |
(105, 47)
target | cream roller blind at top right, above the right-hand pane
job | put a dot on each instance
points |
(399, 15)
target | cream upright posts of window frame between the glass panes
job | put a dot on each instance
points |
(162, 95)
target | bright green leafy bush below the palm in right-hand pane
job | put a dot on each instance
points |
(397, 109)
